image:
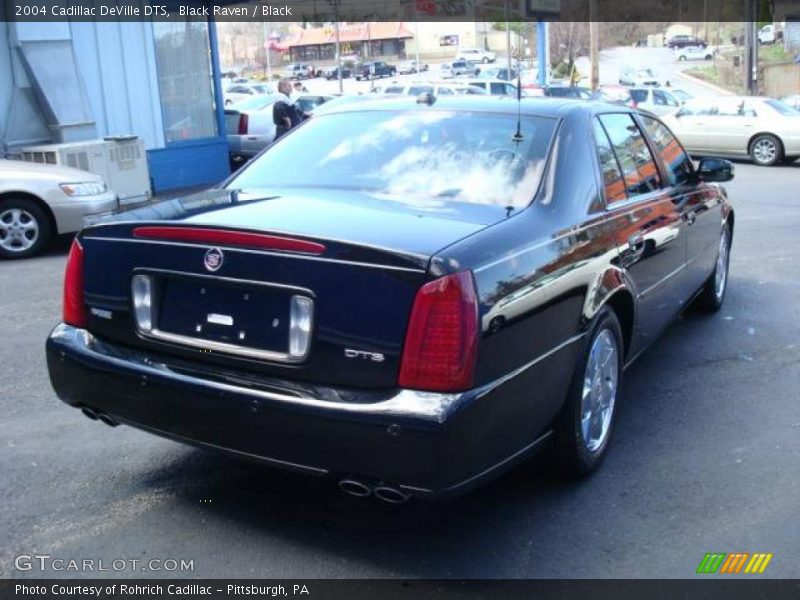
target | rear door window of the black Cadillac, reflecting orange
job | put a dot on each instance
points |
(638, 167)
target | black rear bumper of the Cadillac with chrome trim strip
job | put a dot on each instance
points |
(434, 445)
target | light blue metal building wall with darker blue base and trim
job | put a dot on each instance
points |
(118, 65)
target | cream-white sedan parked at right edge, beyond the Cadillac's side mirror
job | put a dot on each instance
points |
(765, 129)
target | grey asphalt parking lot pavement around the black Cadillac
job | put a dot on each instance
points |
(705, 458)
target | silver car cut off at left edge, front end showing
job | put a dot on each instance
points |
(40, 201)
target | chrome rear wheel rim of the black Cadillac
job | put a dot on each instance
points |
(599, 390)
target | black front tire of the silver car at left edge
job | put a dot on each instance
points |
(30, 211)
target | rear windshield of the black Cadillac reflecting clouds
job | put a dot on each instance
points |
(410, 156)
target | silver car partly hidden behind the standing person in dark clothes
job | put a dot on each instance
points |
(249, 125)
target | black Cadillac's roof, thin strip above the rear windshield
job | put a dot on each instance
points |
(543, 107)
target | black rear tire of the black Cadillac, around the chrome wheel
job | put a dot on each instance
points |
(574, 455)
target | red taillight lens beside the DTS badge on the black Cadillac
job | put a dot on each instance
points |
(442, 337)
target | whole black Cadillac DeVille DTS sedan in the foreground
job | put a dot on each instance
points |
(407, 295)
